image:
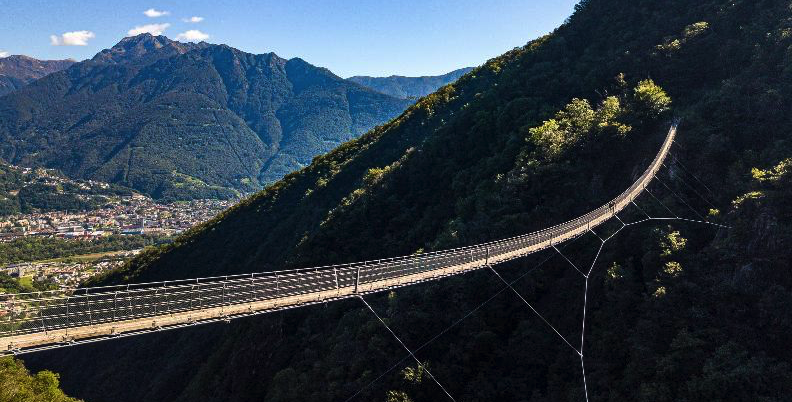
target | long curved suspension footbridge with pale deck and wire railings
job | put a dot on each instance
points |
(45, 320)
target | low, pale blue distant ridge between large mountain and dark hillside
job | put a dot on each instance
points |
(409, 87)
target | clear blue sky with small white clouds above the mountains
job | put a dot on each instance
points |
(364, 37)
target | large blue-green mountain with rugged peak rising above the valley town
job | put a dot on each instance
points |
(177, 120)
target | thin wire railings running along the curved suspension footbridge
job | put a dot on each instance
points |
(52, 310)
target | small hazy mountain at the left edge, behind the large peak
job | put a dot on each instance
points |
(17, 71)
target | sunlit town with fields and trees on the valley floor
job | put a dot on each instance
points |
(117, 222)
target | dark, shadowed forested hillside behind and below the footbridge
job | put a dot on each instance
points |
(676, 311)
